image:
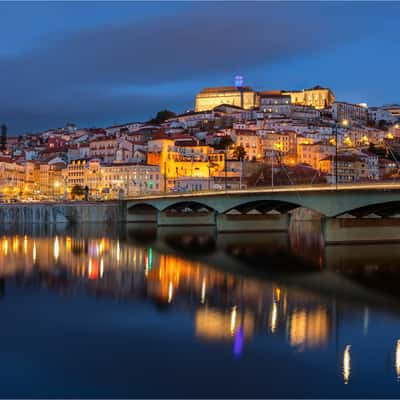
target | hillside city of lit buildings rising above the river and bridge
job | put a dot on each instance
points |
(236, 137)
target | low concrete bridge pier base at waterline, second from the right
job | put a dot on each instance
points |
(252, 223)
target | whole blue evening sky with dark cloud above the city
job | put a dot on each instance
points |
(104, 63)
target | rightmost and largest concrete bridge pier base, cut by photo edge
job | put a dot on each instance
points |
(360, 230)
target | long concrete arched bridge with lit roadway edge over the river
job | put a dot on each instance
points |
(346, 210)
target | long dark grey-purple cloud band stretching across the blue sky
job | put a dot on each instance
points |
(73, 77)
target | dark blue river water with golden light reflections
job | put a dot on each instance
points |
(135, 311)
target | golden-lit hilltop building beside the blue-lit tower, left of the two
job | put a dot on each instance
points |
(209, 98)
